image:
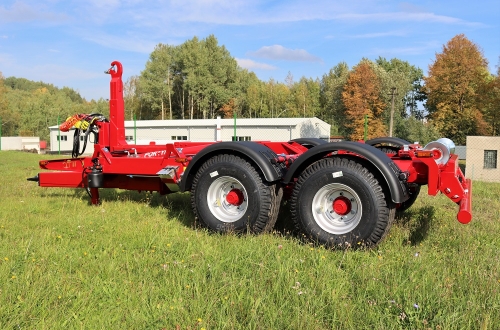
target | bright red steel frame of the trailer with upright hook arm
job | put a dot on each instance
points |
(136, 167)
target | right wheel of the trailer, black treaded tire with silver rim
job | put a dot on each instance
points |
(326, 182)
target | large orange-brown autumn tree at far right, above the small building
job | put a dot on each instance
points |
(453, 88)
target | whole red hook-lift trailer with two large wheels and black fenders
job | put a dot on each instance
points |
(339, 193)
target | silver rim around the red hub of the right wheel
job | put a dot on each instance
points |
(325, 215)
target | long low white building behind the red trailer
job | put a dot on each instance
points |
(203, 130)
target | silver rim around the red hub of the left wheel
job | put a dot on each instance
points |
(217, 203)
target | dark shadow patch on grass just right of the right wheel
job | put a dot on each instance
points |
(418, 222)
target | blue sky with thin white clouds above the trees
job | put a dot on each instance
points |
(71, 42)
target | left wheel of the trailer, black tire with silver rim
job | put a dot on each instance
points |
(255, 202)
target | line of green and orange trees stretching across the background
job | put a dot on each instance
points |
(200, 79)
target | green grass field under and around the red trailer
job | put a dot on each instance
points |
(139, 261)
